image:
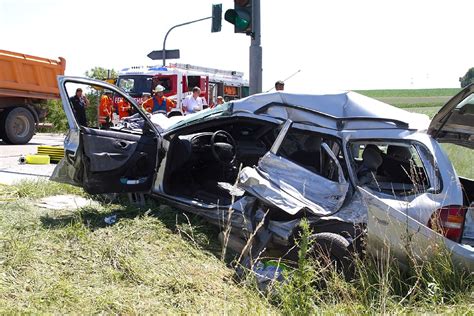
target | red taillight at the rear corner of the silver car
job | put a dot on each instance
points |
(448, 221)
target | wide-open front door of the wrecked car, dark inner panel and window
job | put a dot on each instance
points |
(102, 153)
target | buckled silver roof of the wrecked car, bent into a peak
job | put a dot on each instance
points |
(362, 111)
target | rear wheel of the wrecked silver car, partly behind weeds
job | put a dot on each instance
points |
(331, 248)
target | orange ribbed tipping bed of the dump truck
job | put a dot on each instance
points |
(29, 76)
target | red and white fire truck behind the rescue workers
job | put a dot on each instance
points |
(180, 79)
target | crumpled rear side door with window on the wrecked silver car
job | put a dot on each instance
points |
(303, 164)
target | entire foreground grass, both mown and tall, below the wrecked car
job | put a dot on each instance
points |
(154, 260)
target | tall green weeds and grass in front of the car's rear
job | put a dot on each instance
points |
(380, 285)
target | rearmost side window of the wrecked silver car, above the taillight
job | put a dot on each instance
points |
(394, 168)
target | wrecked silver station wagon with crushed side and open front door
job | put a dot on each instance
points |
(364, 173)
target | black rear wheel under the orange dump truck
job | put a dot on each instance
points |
(18, 126)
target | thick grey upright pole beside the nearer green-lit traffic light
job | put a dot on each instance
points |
(255, 62)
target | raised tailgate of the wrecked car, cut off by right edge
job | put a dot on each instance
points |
(454, 123)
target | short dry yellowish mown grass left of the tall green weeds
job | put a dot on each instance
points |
(70, 261)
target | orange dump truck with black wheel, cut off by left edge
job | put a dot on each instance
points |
(26, 82)
